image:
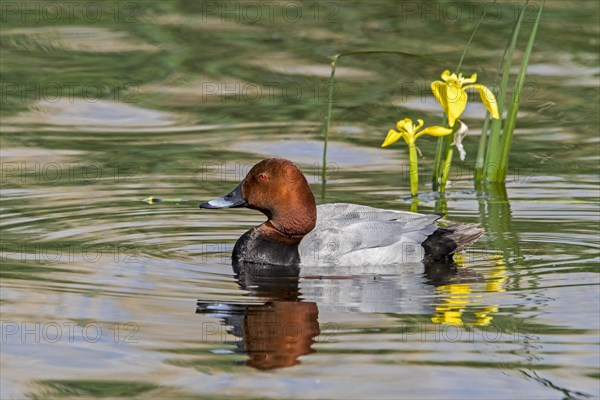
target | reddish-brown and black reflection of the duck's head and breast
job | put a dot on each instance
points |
(274, 334)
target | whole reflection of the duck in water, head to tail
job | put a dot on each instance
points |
(285, 327)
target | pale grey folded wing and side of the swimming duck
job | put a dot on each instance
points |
(345, 231)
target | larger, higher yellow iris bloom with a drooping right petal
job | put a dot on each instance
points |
(452, 95)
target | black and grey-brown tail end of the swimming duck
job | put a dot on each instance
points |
(446, 241)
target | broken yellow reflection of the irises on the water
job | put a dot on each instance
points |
(457, 297)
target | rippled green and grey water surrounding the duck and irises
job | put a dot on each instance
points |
(104, 104)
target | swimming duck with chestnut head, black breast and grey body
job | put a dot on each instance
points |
(299, 233)
